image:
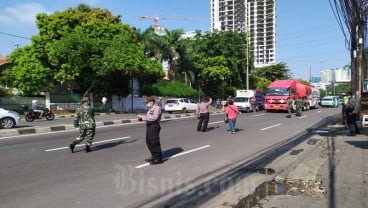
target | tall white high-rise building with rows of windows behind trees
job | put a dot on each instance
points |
(257, 18)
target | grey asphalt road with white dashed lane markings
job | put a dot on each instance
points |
(39, 171)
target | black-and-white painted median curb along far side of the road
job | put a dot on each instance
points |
(37, 130)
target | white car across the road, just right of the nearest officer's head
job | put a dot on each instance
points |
(180, 105)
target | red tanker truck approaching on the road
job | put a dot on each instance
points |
(279, 91)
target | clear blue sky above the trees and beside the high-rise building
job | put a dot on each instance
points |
(308, 37)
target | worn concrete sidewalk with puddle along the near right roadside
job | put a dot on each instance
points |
(329, 173)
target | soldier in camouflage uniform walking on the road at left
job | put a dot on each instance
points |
(84, 118)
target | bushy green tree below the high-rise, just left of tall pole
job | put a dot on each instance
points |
(214, 61)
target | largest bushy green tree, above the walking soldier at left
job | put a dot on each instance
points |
(91, 48)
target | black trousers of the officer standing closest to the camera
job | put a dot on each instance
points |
(153, 139)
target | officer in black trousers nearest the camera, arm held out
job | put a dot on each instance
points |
(153, 129)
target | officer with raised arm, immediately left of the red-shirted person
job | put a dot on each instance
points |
(203, 114)
